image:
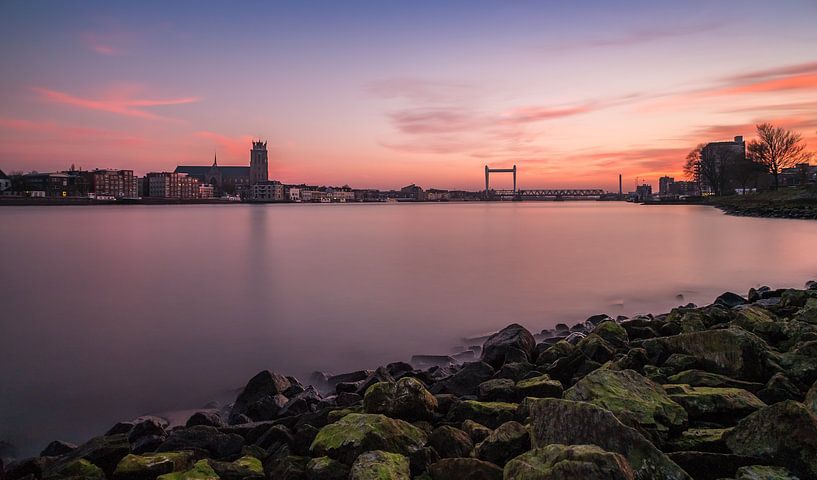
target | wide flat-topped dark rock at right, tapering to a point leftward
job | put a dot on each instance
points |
(732, 351)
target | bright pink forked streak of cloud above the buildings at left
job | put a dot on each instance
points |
(120, 103)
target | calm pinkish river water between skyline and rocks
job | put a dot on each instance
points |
(111, 312)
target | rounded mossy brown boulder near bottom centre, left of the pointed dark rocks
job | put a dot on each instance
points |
(407, 399)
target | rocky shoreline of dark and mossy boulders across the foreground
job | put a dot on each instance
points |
(724, 391)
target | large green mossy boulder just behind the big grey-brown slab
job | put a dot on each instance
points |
(634, 399)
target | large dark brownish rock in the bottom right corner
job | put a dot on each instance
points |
(784, 434)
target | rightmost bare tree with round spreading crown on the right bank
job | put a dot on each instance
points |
(777, 148)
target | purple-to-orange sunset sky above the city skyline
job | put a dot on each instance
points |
(378, 94)
